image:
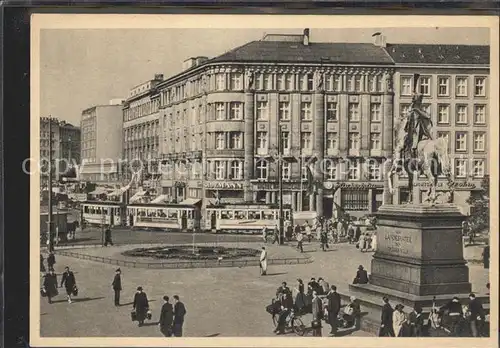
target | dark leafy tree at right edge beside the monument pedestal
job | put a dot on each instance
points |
(479, 202)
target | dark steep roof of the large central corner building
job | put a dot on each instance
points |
(294, 52)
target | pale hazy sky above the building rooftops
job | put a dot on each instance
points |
(80, 68)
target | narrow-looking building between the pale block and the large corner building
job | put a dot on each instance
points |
(141, 126)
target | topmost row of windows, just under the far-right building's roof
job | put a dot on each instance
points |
(443, 86)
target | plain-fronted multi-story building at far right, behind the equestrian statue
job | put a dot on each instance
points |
(454, 81)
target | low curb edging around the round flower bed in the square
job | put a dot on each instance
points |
(185, 264)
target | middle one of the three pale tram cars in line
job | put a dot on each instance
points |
(177, 217)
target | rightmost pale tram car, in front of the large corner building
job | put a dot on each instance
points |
(245, 218)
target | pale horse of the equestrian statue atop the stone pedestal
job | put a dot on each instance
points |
(431, 159)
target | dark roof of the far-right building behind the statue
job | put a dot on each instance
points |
(439, 54)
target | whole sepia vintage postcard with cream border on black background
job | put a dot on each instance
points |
(284, 181)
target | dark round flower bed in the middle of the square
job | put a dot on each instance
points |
(185, 252)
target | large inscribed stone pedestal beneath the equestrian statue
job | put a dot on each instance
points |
(419, 256)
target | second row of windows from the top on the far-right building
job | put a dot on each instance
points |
(462, 113)
